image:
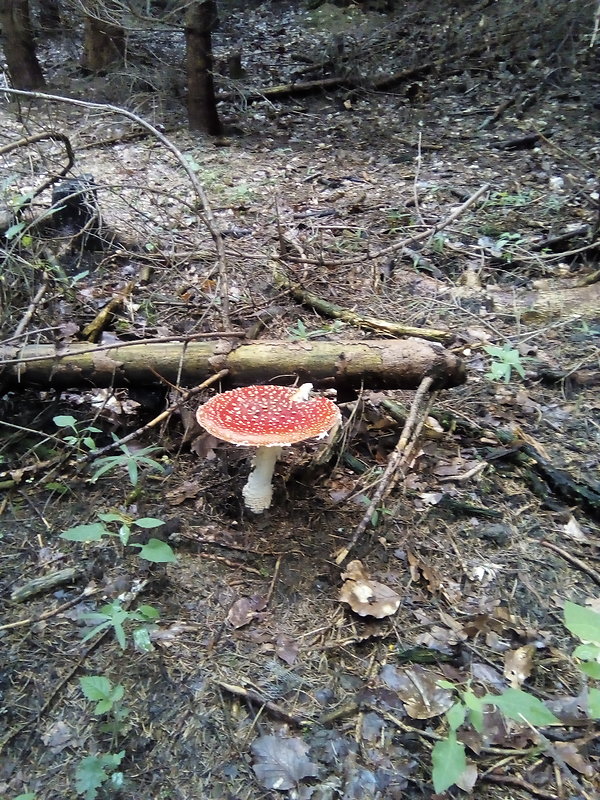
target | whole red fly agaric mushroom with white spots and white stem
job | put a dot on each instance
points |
(268, 418)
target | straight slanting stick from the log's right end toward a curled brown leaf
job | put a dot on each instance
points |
(412, 428)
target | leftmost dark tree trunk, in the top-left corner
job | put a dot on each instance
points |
(19, 45)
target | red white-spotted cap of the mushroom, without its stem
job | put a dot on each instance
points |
(267, 416)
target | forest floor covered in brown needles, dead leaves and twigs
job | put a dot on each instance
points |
(242, 673)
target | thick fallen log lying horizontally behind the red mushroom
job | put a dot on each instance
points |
(376, 364)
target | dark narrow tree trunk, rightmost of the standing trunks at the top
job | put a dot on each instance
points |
(200, 19)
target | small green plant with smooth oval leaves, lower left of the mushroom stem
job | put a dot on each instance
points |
(154, 550)
